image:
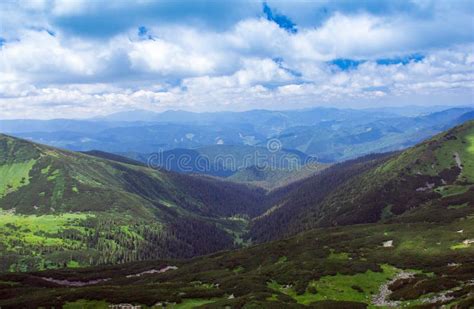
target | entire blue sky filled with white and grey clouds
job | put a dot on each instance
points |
(83, 58)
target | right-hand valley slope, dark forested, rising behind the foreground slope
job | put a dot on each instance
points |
(433, 182)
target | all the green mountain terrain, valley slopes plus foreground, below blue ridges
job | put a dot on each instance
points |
(383, 230)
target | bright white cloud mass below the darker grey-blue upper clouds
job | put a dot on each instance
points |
(254, 64)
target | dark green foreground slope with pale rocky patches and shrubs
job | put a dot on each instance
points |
(416, 265)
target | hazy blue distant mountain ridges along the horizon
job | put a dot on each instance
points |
(329, 134)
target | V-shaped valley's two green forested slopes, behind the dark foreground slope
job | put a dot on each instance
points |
(62, 208)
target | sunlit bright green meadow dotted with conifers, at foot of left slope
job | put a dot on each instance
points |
(73, 240)
